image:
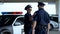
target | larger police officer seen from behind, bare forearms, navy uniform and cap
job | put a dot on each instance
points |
(41, 20)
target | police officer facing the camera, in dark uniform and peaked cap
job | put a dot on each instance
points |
(28, 20)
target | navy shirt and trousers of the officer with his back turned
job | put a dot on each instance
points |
(42, 18)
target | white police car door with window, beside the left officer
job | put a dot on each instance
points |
(18, 26)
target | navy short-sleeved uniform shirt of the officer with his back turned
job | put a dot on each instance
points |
(42, 17)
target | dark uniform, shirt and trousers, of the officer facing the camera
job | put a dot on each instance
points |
(27, 23)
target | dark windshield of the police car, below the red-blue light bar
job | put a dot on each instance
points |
(6, 20)
